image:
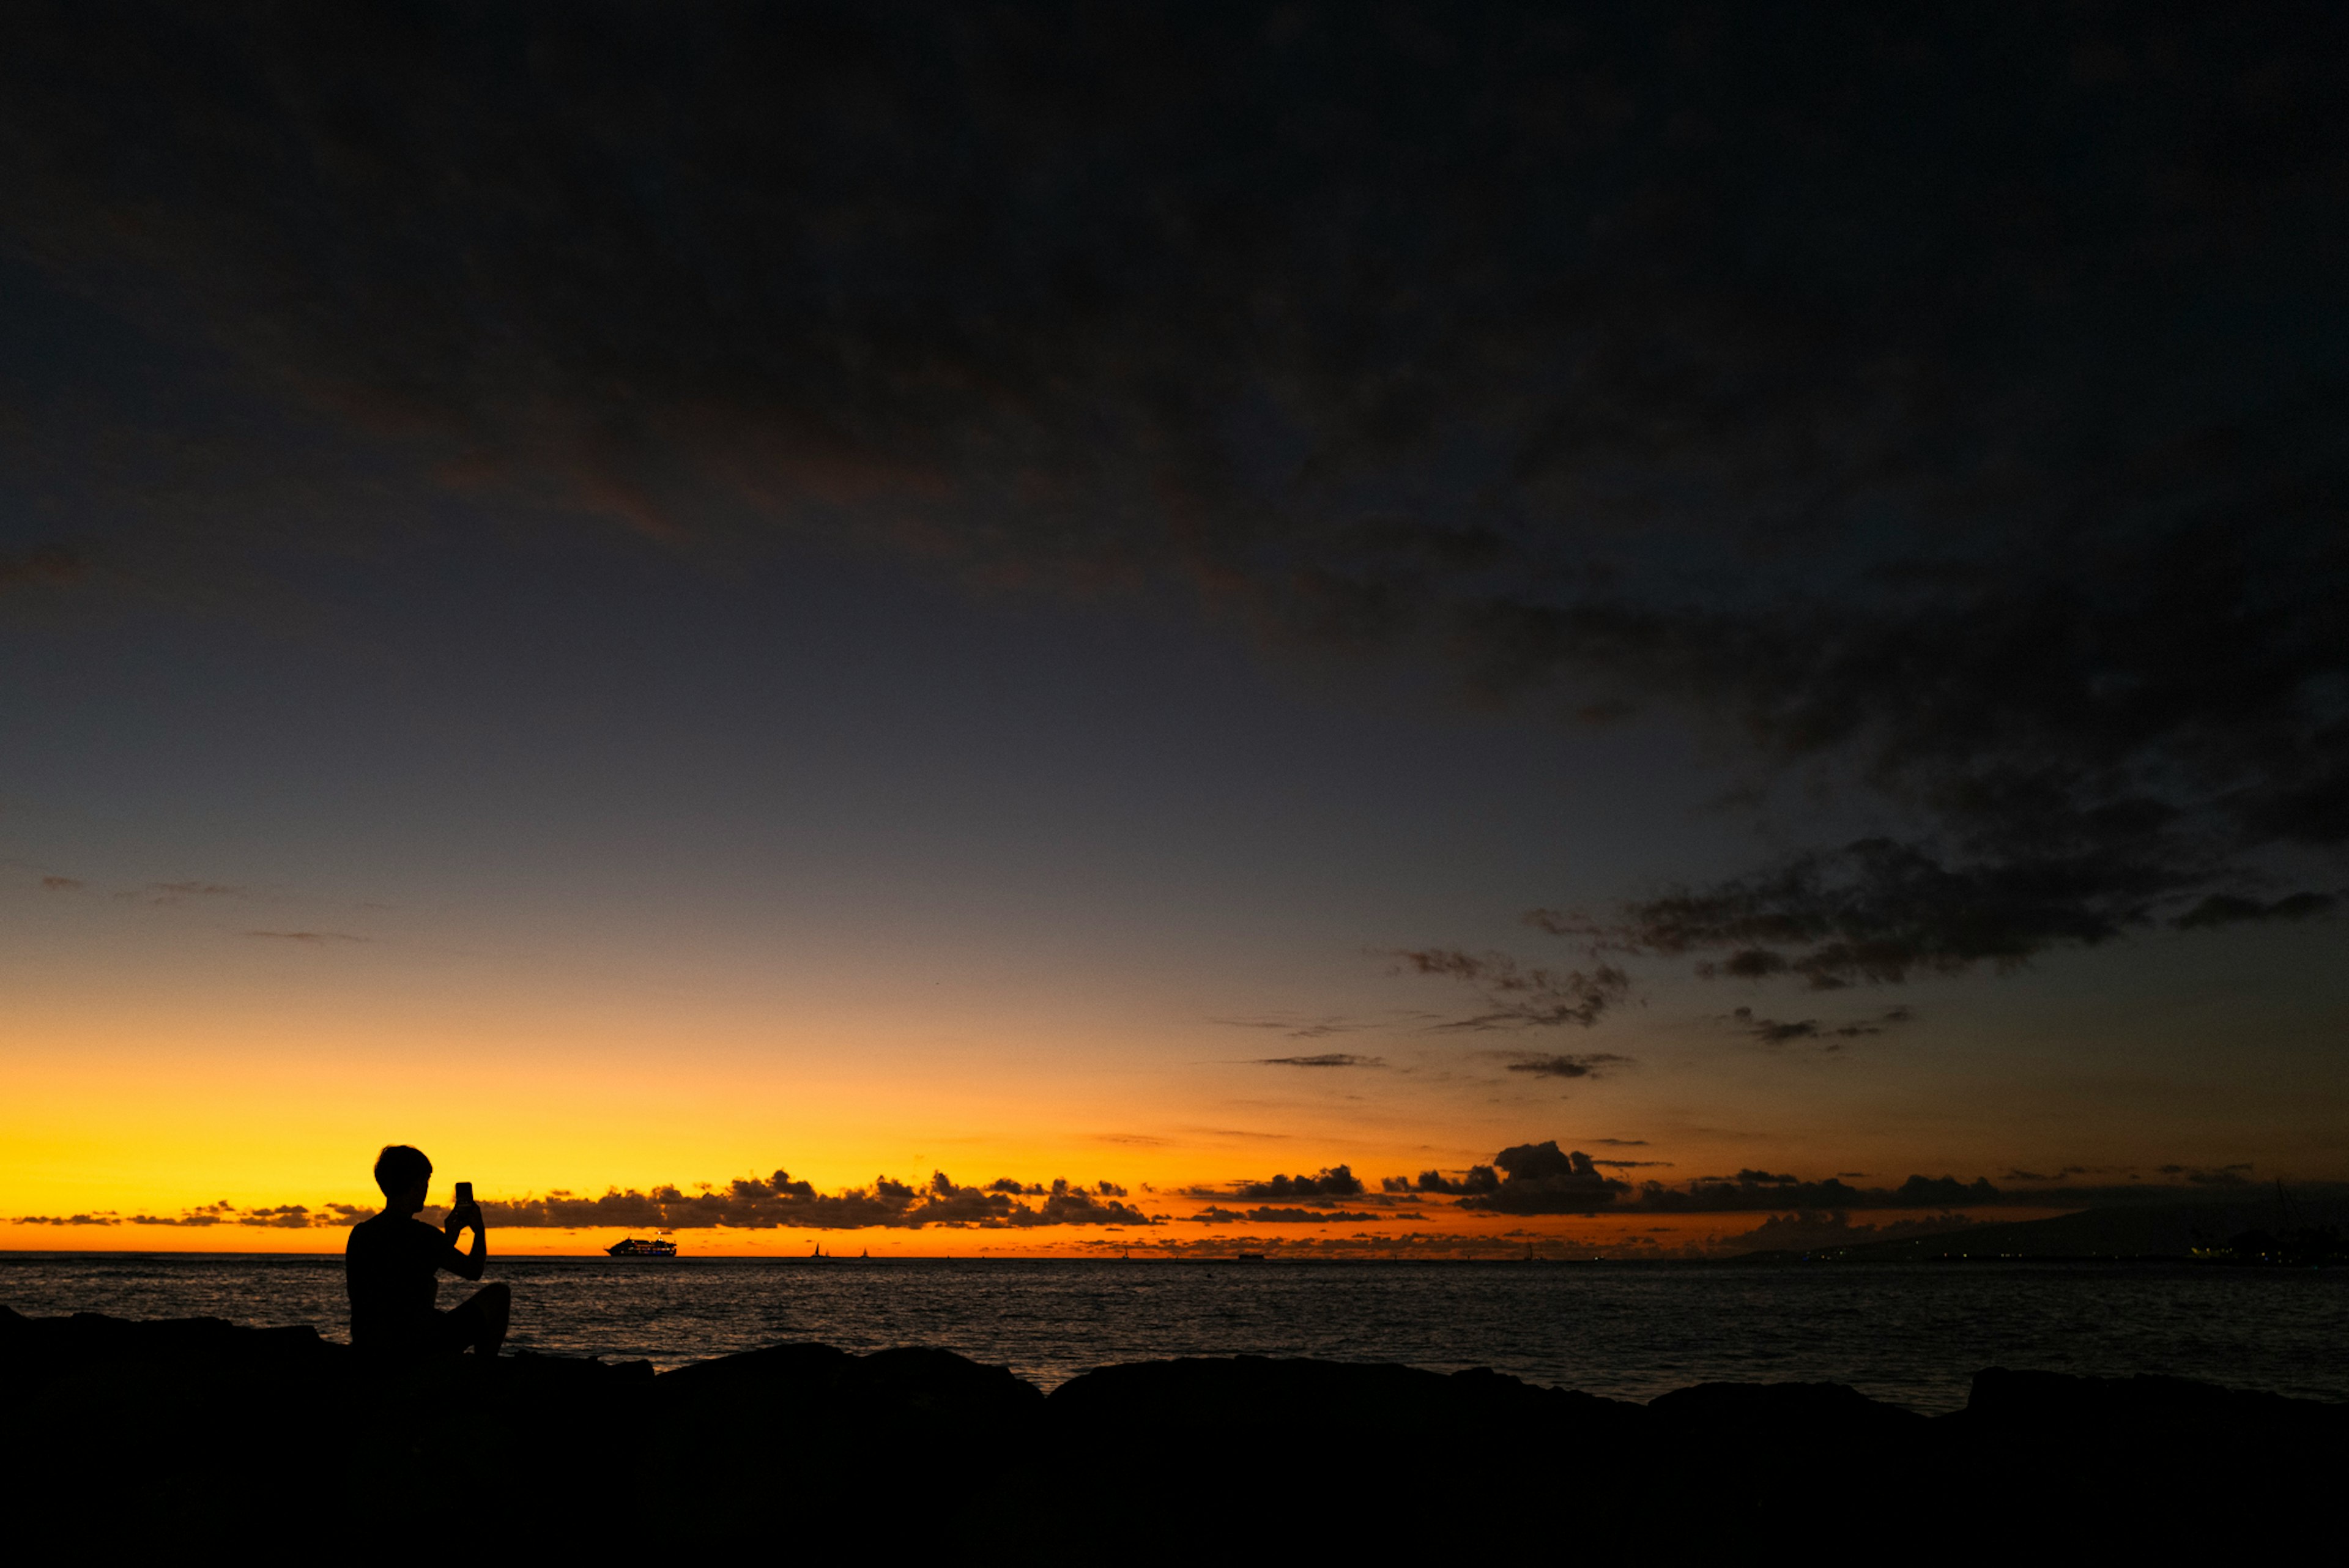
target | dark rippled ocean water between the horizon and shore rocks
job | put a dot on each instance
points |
(1911, 1334)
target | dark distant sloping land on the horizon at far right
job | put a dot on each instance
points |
(2165, 1231)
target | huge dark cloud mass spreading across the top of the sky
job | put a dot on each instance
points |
(1948, 403)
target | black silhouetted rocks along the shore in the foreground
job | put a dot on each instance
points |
(194, 1428)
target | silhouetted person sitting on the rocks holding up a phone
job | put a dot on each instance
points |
(393, 1268)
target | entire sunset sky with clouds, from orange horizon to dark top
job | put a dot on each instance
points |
(1171, 629)
